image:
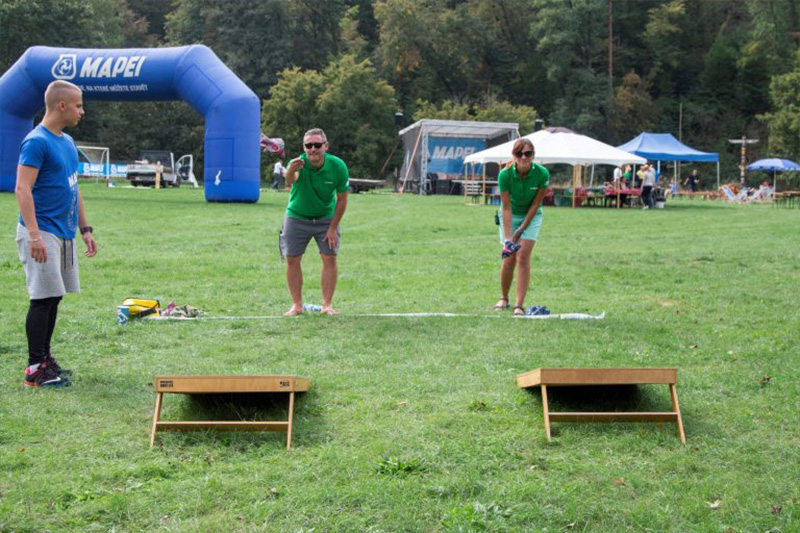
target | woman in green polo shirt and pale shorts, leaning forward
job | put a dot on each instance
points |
(523, 185)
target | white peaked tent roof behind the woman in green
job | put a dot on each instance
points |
(560, 147)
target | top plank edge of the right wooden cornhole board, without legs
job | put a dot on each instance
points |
(596, 376)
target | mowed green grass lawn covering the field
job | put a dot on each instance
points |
(412, 424)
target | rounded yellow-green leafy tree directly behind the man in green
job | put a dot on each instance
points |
(347, 100)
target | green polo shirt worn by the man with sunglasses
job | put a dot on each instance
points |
(314, 192)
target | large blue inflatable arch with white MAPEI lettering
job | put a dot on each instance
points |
(193, 74)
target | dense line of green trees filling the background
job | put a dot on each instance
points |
(705, 71)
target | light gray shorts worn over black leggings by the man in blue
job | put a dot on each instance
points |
(56, 276)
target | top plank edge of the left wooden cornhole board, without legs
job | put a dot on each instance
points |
(225, 384)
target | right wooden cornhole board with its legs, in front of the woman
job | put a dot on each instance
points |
(572, 377)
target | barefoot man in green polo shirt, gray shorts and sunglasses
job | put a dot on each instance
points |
(317, 201)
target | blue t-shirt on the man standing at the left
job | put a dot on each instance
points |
(55, 193)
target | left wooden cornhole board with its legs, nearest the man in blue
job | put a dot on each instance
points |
(222, 385)
